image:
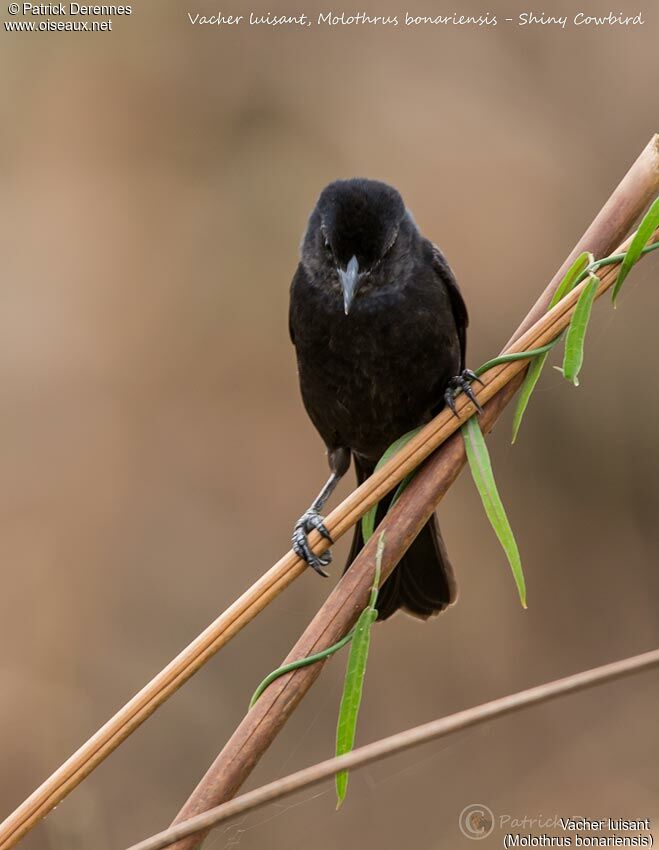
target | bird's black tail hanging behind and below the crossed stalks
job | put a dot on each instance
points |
(422, 584)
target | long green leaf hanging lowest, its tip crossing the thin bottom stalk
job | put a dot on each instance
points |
(354, 679)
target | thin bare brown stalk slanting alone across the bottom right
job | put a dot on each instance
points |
(398, 743)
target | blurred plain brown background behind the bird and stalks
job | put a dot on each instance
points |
(154, 451)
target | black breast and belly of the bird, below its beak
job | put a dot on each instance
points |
(377, 372)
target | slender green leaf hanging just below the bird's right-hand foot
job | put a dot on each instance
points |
(481, 470)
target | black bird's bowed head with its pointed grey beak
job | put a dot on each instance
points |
(353, 227)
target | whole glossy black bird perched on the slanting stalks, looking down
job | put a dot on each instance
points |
(379, 327)
